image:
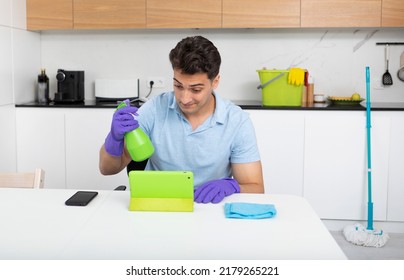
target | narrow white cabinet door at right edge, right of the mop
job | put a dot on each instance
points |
(396, 169)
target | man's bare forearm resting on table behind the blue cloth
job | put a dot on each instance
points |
(249, 177)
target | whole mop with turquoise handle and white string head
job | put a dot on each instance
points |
(358, 234)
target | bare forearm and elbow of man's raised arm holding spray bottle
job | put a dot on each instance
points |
(110, 165)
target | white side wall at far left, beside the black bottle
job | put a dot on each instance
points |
(19, 62)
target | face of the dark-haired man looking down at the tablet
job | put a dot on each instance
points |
(194, 92)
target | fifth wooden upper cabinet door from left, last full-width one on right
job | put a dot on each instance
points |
(341, 13)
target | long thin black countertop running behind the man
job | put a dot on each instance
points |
(245, 104)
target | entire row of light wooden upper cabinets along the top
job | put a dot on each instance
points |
(129, 14)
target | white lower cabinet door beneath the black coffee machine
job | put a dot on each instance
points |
(41, 143)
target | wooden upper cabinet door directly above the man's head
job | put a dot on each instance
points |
(184, 14)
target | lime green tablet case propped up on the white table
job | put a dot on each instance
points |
(167, 191)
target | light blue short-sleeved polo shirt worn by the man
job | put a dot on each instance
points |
(226, 137)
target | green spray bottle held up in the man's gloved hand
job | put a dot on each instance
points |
(138, 143)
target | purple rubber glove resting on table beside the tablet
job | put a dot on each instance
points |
(214, 191)
